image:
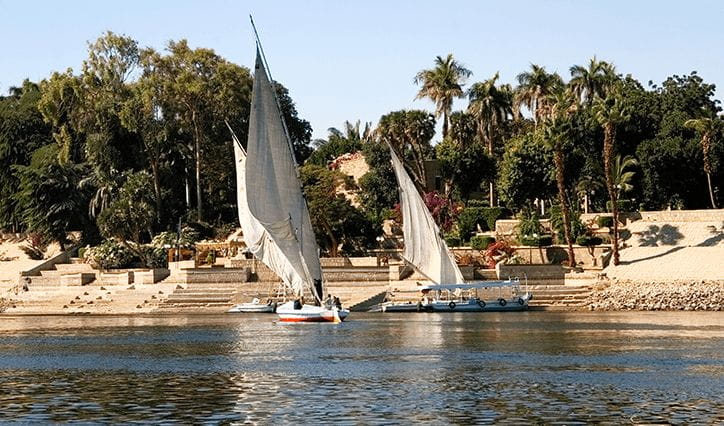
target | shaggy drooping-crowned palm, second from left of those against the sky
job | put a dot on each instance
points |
(491, 106)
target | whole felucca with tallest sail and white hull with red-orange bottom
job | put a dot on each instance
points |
(280, 231)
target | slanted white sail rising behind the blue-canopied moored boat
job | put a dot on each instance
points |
(424, 248)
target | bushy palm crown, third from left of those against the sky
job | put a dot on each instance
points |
(534, 88)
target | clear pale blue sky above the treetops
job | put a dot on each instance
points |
(356, 60)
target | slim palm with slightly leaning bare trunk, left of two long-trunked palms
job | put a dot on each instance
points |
(557, 131)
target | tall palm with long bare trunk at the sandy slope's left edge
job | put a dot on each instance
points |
(611, 111)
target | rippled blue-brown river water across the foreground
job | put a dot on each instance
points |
(531, 367)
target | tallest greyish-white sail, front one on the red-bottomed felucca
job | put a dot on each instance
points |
(274, 194)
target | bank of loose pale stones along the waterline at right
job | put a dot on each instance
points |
(676, 295)
